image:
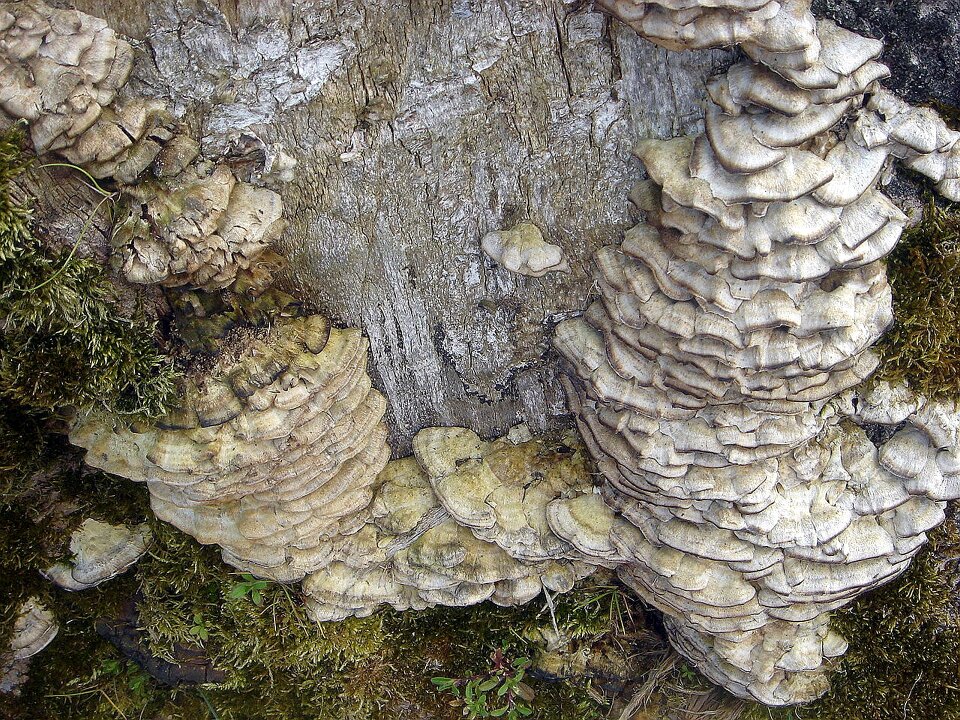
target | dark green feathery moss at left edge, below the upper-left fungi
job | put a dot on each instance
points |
(64, 339)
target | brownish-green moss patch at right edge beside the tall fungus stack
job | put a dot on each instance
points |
(923, 346)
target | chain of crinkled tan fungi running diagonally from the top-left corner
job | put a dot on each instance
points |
(194, 223)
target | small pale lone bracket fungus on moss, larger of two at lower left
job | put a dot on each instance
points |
(99, 551)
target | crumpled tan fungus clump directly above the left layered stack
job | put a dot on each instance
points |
(200, 228)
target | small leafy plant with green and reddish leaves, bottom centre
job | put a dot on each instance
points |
(498, 692)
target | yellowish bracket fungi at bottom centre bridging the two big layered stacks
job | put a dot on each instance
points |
(461, 522)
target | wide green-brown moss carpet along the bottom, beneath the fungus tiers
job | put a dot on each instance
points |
(280, 664)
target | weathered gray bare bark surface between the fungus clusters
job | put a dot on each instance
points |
(417, 128)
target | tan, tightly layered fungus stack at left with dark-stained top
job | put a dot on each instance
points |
(269, 456)
